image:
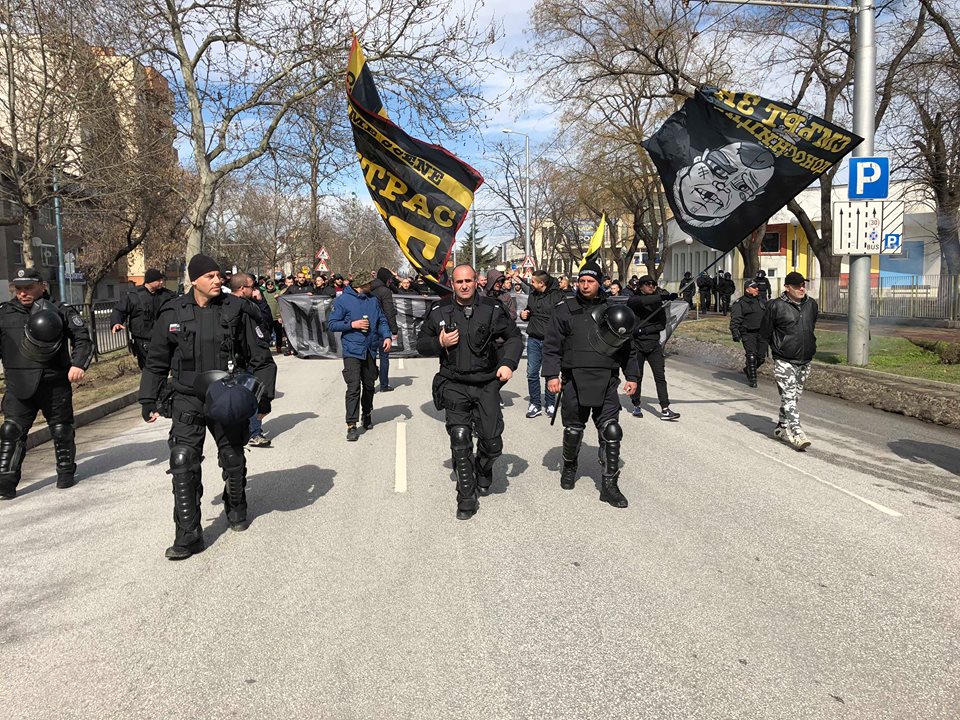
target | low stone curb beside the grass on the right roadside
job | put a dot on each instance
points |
(927, 400)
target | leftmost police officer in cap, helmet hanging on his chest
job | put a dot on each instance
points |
(39, 368)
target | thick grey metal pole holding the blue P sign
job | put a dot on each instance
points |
(864, 108)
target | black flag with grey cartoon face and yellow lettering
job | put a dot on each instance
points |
(728, 161)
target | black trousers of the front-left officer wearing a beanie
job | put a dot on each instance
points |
(189, 428)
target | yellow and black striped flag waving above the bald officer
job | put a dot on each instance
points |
(422, 191)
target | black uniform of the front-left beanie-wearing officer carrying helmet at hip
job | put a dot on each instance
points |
(189, 340)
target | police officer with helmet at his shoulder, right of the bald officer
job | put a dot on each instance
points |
(587, 343)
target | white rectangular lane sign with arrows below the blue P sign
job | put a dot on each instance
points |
(867, 228)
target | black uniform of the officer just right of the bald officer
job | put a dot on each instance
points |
(589, 386)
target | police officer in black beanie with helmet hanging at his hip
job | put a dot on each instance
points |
(196, 335)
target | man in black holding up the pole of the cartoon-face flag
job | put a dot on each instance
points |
(647, 305)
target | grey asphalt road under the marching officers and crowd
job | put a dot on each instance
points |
(745, 580)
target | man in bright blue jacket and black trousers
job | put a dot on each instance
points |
(363, 329)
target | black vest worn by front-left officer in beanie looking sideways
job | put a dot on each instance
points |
(208, 338)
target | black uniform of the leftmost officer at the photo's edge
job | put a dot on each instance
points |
(39, 386)
